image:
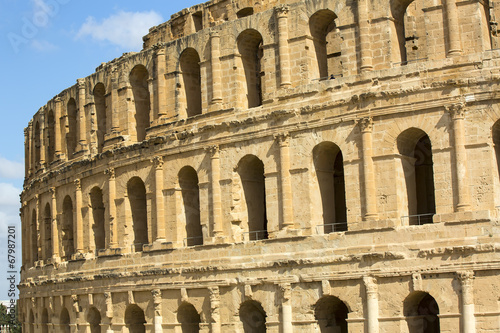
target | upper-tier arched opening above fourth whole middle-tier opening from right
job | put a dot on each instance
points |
(191, 79)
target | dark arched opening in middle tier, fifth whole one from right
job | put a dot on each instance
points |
(136, 192)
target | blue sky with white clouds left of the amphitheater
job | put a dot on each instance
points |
(45, 46)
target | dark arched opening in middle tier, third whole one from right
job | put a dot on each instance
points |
(251, 172)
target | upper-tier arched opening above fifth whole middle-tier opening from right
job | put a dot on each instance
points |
(139, 81)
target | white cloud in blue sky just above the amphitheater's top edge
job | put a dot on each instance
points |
(124, 29)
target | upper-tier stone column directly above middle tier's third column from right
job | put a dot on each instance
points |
(284, 52)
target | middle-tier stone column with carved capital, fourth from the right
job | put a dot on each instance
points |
(216, 191)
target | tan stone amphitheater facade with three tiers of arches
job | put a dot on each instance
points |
(274, 166)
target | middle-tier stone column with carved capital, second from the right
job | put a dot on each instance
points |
(366, 126)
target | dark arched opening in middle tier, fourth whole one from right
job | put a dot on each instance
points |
(188, 182)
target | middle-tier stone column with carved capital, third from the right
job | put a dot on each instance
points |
(286, 182)
